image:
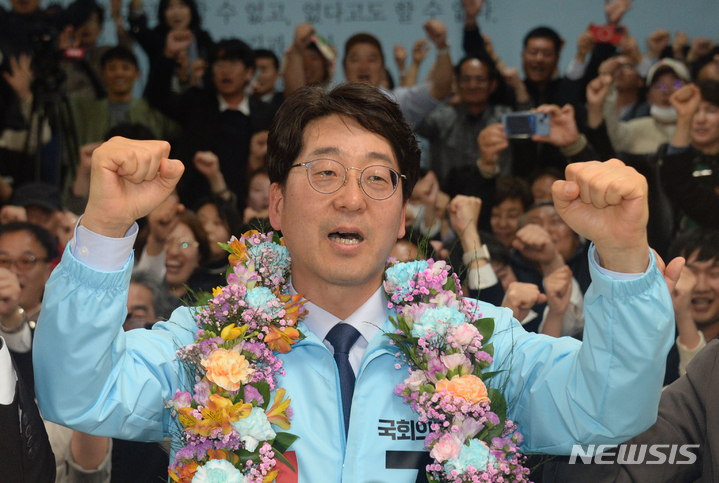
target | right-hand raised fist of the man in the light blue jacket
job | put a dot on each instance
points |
(606, 202)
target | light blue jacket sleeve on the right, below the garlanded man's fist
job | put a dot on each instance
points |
(604, 390)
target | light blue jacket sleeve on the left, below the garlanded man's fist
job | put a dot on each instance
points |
(92, 376)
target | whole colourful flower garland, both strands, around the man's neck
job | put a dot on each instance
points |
(225, 423)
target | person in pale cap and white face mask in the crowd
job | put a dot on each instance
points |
(645, 135)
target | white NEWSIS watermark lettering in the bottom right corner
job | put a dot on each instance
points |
(635, 454)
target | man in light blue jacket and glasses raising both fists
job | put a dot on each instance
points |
(94, 377)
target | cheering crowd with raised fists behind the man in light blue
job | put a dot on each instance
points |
(483, 200)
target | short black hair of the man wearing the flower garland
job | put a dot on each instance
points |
(363, 104)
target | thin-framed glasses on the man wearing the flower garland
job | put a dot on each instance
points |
(327, 176)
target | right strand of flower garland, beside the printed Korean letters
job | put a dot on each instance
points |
(444, 340)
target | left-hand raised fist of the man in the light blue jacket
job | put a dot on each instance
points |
(129, 179)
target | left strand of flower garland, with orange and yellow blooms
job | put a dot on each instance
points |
(227, 421)
